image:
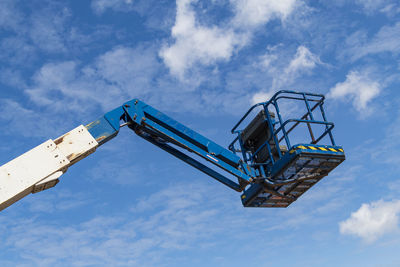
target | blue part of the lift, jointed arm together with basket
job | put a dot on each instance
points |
(261, 161)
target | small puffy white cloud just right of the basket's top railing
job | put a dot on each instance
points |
(358, 87)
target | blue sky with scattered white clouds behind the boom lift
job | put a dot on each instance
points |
(65, 63)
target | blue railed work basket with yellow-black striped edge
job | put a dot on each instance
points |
(286, 171)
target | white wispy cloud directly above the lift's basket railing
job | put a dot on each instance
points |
(279, 68)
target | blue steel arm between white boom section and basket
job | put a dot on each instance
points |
(143, 118)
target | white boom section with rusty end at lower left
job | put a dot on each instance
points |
(40, 168)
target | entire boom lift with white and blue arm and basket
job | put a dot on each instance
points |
(261, 162)
